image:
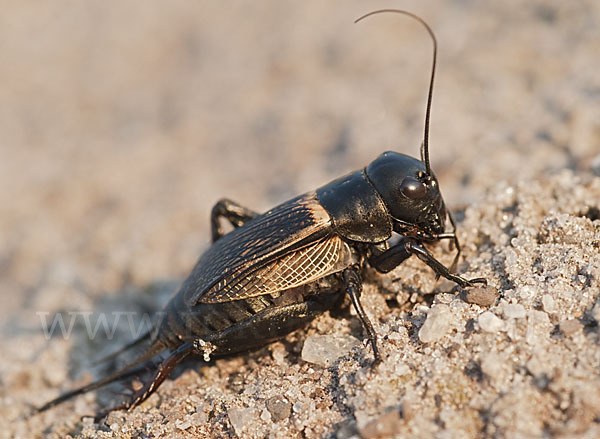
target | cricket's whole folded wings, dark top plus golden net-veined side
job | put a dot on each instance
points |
(227, 269)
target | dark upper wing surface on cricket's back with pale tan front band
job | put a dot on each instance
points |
(243, 250)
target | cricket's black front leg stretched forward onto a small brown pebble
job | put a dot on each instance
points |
(388, 260)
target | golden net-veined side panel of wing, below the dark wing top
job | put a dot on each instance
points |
(316, 260)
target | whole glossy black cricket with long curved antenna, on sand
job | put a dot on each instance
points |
(276, 271)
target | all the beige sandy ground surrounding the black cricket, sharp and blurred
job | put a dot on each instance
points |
(122, 124)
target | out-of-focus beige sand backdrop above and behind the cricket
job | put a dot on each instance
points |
(122, 124)
